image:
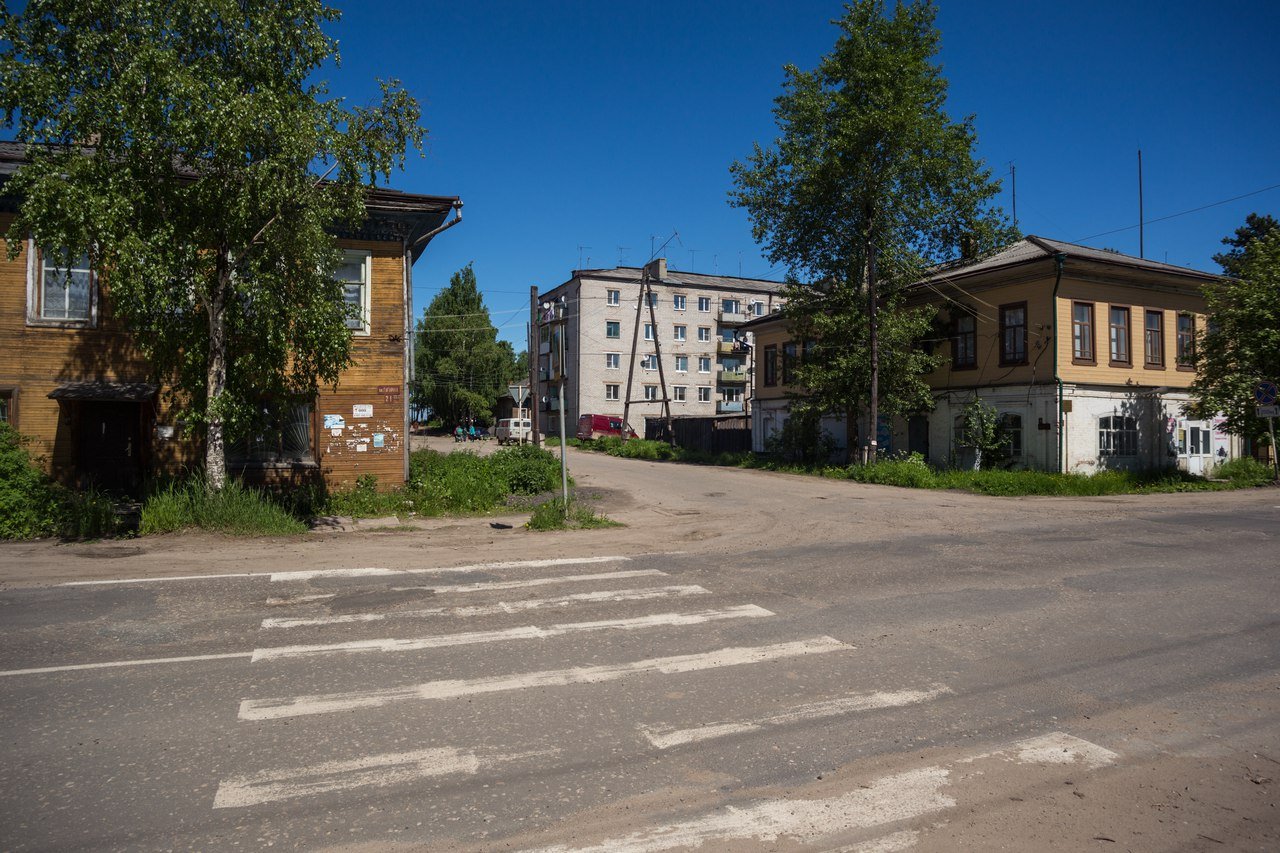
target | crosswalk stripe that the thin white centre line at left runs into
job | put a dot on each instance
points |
(523, 632)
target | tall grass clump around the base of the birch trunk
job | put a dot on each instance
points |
(235, 509)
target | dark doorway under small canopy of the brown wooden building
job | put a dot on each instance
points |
(109, 446)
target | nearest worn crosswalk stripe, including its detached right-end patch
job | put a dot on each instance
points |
(889, 800)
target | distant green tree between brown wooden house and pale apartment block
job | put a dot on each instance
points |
(461, 367)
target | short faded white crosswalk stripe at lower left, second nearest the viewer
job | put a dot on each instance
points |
(387, 769)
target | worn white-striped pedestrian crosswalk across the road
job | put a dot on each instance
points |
(504, 610)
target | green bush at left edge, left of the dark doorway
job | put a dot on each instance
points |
(34, 507)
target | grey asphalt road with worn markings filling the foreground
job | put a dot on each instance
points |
(976, 676)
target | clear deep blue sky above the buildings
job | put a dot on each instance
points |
(574, 129)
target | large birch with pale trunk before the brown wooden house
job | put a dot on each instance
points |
(181, 145)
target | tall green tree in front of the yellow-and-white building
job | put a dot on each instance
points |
(870, 183)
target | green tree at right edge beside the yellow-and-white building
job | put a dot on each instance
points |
(1242, 343)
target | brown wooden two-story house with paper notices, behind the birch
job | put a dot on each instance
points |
(74, 382)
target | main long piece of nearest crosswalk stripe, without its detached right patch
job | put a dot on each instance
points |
(886, 801)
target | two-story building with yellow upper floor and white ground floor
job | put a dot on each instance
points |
(1086, 355)
